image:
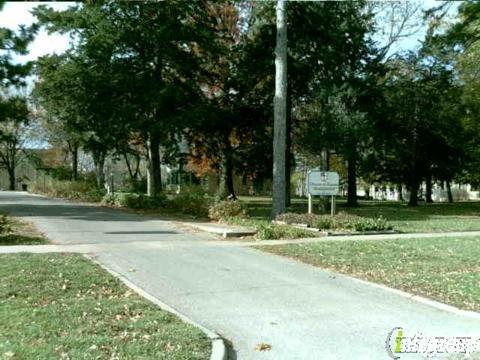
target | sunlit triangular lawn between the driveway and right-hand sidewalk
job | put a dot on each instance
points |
(445, 269)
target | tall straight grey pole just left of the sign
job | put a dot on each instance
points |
(280, 112)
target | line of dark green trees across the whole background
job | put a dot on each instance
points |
(140, 78)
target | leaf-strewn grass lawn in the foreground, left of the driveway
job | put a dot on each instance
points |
(65, 307)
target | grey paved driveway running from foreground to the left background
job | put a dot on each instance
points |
(245, 295)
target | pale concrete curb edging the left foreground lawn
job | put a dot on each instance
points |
(219, 350)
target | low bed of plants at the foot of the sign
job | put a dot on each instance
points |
(341, 221)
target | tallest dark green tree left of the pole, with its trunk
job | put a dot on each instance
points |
(153, 69)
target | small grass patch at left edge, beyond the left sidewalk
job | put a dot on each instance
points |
(17, 232)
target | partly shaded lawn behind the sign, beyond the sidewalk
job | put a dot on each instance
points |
(437, 217)
